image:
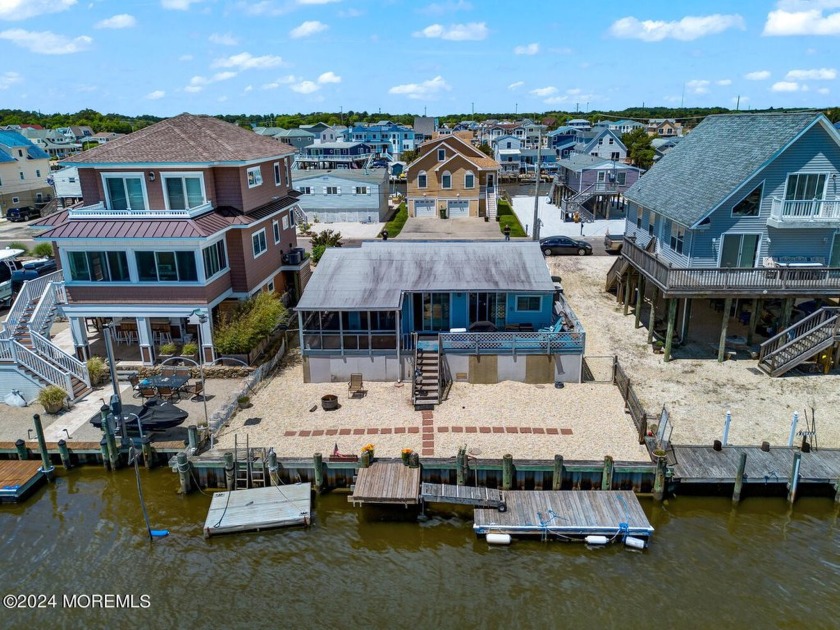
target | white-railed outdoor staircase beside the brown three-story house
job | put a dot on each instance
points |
(24, 339)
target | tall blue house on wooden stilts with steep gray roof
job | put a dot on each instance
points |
(744, 211)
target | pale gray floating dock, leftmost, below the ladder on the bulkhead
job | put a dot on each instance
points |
(259, 508)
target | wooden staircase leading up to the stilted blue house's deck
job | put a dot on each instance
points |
(798, 343)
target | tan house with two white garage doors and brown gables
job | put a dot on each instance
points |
(452, 179)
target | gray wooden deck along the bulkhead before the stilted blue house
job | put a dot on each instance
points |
(703, 464)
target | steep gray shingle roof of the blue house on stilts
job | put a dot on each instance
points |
(708, 164)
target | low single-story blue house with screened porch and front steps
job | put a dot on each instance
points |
(433, 312)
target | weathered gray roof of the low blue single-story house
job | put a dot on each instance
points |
(374, 276)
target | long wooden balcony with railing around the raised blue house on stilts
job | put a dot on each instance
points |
(733, 281)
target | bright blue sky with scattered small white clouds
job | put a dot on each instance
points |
(164, 57)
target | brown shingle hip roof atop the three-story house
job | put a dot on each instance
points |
(184, 139)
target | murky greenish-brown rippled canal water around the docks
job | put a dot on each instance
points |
(760, 566)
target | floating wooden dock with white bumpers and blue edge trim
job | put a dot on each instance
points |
(566, 514)
